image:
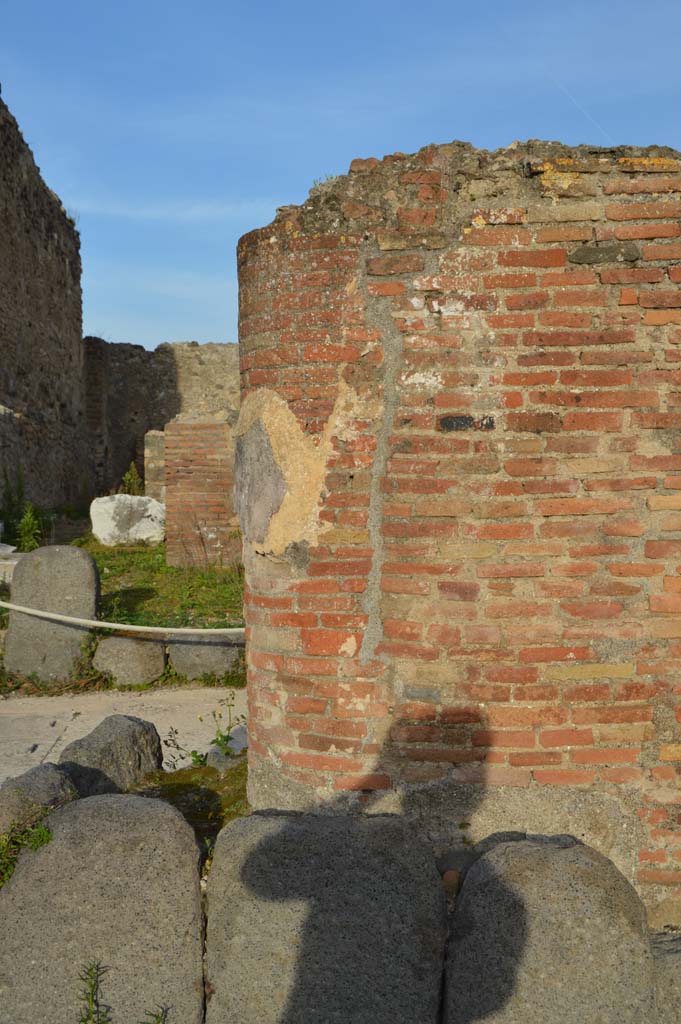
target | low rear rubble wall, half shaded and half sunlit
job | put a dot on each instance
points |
(132, 391)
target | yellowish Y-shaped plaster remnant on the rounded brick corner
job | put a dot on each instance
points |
(303, 459)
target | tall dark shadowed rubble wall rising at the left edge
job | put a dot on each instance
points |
(41, 357)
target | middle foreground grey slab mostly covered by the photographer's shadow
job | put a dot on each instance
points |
(327, 919)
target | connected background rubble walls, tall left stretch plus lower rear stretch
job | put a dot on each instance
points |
(74, 412)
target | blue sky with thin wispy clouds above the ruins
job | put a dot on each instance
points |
(169, 130)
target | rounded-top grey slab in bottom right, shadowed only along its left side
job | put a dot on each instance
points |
(548, 930)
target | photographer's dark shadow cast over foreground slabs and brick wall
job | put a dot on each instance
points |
(372, 949)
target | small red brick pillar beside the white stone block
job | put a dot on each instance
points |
(200, 523)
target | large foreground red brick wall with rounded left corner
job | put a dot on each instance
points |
(459, 465)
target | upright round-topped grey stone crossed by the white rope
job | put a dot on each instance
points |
(58, 579)
